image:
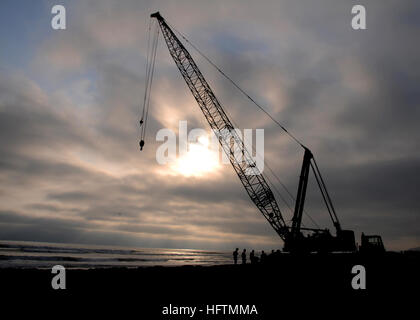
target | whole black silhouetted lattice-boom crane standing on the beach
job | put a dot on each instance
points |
(255, 184)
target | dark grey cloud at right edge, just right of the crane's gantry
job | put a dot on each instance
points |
(385, 187)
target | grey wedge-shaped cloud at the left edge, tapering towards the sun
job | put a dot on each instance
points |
(27, 120)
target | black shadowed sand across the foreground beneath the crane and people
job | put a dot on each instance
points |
(293, 283)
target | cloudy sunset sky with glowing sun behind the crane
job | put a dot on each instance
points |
(70, 167)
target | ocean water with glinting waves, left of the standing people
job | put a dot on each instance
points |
(23, 254)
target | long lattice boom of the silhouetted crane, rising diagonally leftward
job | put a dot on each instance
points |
(255, 184)
